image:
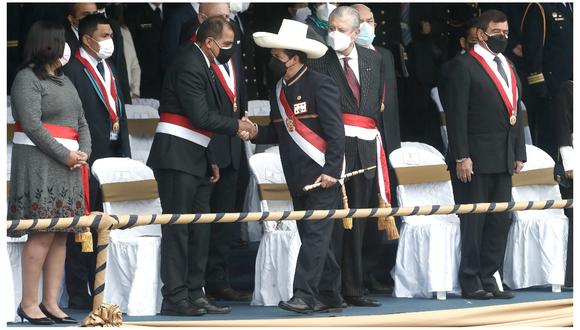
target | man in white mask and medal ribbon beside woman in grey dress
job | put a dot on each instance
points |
(95, 80)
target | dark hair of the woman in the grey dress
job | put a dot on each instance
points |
(44, 45)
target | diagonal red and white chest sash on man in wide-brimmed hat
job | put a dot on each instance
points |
(311, 143)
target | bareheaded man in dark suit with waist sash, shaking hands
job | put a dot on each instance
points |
(189, 116)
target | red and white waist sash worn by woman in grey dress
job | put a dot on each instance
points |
(69, 138)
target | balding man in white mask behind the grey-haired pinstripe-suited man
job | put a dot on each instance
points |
(373, 249)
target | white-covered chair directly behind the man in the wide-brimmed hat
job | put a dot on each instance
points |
(280, 244)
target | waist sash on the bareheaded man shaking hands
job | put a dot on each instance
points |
(180, 126)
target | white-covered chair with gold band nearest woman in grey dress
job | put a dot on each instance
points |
(133, 280)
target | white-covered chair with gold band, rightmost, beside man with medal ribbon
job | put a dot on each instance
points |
(537, 241)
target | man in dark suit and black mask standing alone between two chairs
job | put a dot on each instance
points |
(486, 147)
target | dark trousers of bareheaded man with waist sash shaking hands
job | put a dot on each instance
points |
(184, 248)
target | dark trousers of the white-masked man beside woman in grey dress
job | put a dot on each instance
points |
(80, 266)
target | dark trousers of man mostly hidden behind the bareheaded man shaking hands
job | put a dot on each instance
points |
(223, 199)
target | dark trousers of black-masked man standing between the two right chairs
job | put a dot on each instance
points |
(483, 236)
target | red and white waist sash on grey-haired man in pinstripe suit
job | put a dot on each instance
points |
(365, 128)
